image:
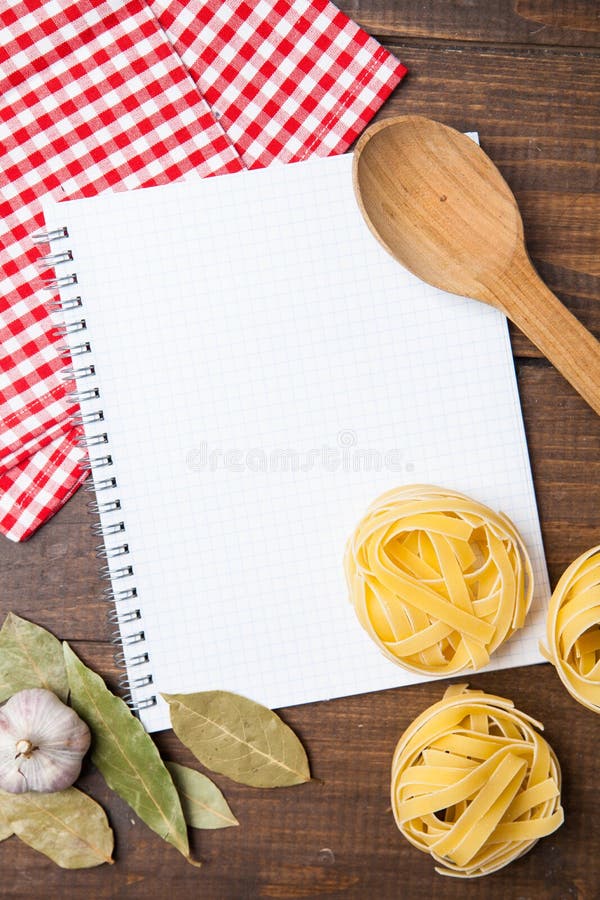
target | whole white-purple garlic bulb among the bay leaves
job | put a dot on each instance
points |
(42, 743)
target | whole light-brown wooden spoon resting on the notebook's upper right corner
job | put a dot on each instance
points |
(439, 205)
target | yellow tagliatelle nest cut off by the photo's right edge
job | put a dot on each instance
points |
(573, 629)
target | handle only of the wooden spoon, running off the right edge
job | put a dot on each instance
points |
(553, 329)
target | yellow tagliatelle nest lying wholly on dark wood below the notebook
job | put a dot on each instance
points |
(474, 784)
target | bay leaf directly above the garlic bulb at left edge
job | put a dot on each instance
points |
(30, 657)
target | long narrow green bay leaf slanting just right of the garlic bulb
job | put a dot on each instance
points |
(126, 756)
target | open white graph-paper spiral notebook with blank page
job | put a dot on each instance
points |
(253, 370)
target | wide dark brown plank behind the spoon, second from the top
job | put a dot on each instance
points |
(548, 152)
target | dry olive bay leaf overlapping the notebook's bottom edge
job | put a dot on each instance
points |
(239, 738)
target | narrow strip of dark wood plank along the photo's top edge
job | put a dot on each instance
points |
(549, 22)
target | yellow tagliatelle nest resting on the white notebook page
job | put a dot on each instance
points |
(438, 580)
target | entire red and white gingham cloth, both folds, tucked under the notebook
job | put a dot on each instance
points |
(112, 95)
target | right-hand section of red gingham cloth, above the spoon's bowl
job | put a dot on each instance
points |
(286, 78)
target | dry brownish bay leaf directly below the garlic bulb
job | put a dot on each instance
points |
(67, 826)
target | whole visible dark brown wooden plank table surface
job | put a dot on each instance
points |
(526, 75)
